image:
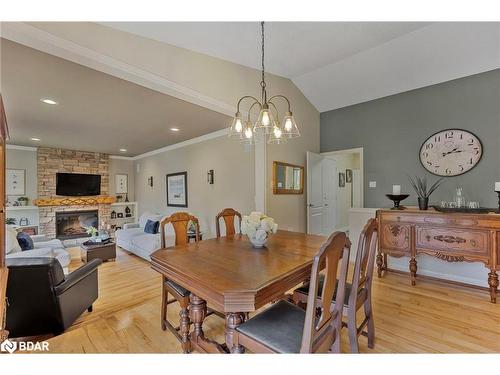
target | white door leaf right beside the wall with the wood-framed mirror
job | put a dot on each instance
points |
(314, 193)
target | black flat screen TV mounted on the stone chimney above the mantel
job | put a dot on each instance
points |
(78, 184)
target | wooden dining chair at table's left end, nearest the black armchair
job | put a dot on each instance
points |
(180, 222)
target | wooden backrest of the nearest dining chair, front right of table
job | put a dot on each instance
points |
(318, 333)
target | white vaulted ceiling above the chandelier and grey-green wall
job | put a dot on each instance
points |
(337, 64)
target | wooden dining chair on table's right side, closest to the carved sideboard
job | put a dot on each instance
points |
(358, 293)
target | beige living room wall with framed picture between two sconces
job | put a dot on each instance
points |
(233, 187)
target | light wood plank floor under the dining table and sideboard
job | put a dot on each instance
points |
(432, 317)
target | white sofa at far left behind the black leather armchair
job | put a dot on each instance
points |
(42, 248)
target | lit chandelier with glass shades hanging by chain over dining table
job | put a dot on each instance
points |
(267, 122)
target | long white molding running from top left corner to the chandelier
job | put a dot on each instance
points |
(41, 40)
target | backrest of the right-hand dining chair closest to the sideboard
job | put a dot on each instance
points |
(365, 257)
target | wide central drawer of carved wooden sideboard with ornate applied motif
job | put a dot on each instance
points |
(452, 240)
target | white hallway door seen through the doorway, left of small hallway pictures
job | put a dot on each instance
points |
(329, 182)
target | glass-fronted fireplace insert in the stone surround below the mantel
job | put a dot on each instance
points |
(74, 224)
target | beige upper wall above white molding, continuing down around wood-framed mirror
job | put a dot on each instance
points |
(207, 77)
